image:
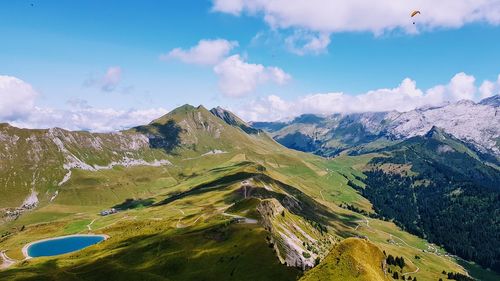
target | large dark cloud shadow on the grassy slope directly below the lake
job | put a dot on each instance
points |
(236, 252)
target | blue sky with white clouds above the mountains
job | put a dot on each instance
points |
(108, 65)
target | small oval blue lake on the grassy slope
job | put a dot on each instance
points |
(63, 245)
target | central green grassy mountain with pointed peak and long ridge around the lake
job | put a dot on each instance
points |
(228, 206)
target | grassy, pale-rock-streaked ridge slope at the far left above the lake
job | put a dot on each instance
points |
(34, 163)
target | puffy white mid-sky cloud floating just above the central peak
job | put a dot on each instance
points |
(238, 78)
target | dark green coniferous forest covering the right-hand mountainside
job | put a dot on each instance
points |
(451, 200)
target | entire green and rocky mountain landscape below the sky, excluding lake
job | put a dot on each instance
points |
(201, 194)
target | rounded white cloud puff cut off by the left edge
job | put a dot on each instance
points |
(17, 98)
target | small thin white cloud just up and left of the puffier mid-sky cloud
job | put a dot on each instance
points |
(206, 52)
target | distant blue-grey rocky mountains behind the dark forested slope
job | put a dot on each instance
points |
(477, 124)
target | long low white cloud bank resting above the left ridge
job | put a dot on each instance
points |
(18, 107)
